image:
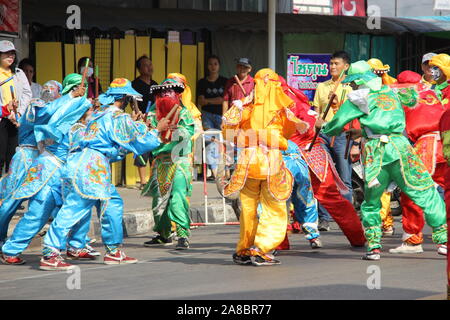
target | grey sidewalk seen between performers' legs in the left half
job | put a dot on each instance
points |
(138, 217)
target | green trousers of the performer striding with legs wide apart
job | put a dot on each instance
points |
(428, 200)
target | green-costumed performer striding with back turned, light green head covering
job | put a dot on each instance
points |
(388, 155)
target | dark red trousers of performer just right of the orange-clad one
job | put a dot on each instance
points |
(340, 209)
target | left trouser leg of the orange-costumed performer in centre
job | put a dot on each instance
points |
(249, 197)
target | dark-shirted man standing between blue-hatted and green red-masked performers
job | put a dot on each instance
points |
(142, 85)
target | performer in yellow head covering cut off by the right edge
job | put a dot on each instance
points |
(440, 70)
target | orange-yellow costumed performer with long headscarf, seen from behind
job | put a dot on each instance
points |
(261, 129)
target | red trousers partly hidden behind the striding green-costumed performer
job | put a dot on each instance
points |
(413, 219)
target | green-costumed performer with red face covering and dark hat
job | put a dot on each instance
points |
(170, 182)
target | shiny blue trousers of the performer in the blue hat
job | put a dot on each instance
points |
(77, 209)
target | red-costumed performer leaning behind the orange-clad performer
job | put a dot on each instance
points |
(324, 178)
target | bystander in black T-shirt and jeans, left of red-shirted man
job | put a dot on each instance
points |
(210, 95)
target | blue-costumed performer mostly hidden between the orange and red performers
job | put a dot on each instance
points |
(305, 206)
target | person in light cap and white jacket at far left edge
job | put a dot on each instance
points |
(13, 84)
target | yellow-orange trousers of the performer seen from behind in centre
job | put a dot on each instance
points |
(267, 232)
